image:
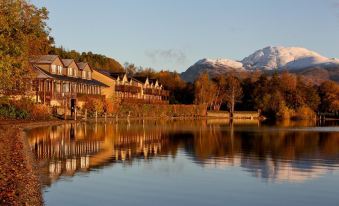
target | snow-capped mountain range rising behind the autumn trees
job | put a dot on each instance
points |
(294, 59)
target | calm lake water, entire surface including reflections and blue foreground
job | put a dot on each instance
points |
(188, 163)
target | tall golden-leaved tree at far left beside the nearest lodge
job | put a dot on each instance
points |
(24, 33)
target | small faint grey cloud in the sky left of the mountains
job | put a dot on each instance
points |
(172, 56)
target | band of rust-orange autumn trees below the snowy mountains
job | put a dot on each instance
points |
(281, 96)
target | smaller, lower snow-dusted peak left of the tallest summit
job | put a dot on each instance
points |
(212, 67)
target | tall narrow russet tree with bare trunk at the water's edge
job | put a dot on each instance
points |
(233, 92)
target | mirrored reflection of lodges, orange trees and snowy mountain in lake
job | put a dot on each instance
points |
(284, 153)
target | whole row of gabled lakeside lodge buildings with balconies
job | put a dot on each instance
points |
(64, 82)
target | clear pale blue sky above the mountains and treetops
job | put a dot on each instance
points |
(174, 34)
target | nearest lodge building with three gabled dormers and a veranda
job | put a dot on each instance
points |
(62, 82)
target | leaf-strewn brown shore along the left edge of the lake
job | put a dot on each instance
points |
(19, 177)
